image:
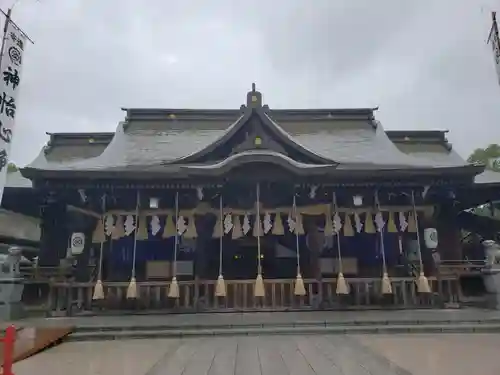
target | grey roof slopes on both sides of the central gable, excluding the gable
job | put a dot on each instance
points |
(345, 137)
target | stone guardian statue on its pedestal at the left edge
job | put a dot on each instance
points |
(11, 286)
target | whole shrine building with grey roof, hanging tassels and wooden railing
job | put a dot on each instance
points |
(252, 208)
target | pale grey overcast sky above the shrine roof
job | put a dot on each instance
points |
(425, 63)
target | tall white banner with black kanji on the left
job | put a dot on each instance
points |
(10, 78)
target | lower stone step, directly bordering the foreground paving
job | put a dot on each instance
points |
(302, 330)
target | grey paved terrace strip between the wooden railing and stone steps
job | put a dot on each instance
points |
(269, 318)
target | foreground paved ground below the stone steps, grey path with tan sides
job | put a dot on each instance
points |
(275, 355)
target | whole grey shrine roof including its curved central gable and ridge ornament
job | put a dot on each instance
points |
(167, 140)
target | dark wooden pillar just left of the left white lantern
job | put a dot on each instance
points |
(54, 232)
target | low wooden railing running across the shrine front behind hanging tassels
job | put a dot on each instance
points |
(68, 298)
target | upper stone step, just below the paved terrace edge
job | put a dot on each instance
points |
(284, 325)
